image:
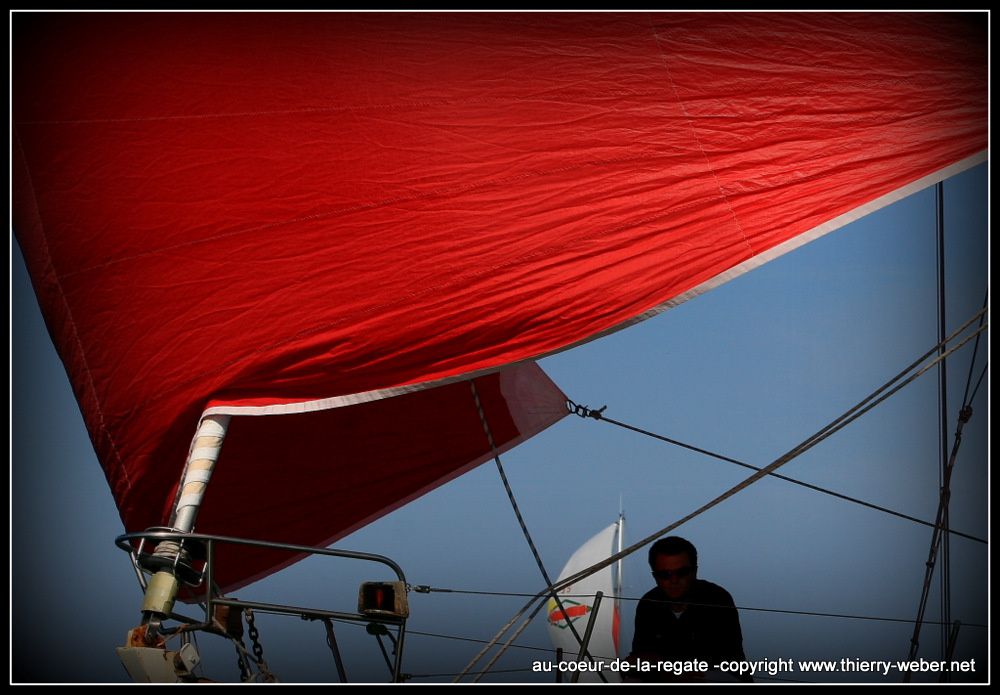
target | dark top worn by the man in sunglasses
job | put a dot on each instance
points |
(708, 629)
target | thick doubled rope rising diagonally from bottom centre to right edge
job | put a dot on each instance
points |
(878, 396)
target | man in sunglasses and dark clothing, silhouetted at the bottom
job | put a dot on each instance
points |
(684, 618)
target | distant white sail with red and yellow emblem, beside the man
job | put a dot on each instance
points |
(578, 605)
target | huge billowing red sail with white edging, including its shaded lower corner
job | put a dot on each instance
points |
(329, 222)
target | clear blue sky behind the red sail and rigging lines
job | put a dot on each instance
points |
(747, 370)
